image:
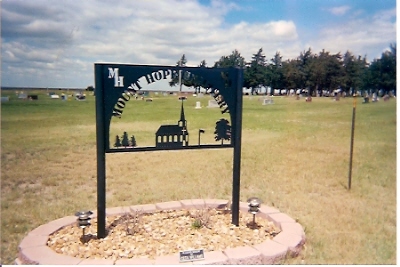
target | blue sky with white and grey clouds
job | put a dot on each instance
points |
(47, 43)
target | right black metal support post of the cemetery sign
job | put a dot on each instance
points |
(237, 149)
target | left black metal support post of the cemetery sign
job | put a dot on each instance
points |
(101, 154)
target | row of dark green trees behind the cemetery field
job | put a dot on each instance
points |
(314, 73)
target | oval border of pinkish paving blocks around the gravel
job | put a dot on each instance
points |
(33, 248)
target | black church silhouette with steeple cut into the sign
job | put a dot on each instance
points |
(173, 135)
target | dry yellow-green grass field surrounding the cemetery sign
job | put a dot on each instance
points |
(295, 156)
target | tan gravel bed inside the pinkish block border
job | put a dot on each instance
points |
(149, 235)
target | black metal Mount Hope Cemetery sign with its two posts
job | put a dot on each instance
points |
(118, 84)
